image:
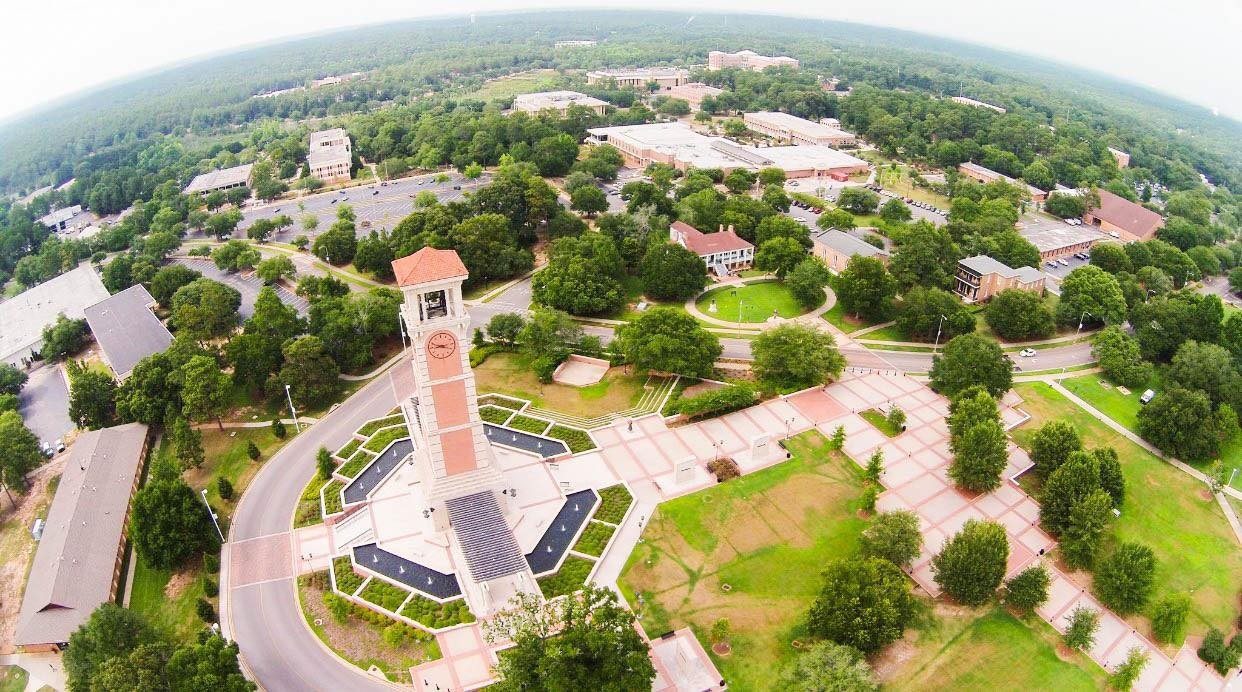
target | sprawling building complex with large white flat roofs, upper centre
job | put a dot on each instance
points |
(680, 146)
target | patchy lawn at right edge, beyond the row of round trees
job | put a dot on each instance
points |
(1164, 509)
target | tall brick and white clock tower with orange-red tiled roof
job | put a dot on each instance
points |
(451, 450)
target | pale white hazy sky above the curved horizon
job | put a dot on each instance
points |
(1188, 48)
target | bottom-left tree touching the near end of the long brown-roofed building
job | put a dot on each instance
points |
(111, 633)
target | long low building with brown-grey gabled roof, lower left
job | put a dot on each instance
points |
(78, 563)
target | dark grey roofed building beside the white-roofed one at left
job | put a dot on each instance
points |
(127, 330)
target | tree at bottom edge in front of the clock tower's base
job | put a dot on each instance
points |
(596, 645)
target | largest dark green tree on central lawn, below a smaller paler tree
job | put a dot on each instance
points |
(865, 603)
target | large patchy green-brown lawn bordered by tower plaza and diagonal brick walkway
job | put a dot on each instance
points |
(766, 535)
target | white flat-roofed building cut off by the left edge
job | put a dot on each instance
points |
(24, 317)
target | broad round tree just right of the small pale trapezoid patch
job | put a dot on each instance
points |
(668, 340)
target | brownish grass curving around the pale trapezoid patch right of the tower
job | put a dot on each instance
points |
(510, 373)
